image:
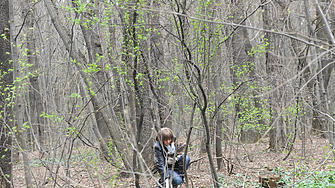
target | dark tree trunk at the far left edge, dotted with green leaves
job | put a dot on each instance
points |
(6, 82)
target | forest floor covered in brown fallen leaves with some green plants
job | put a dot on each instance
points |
(248, 162)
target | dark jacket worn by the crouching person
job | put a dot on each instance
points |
(160, 158)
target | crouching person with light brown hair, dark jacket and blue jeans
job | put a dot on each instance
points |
(165, 158)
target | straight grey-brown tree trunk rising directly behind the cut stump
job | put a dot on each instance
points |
(271, 15)
